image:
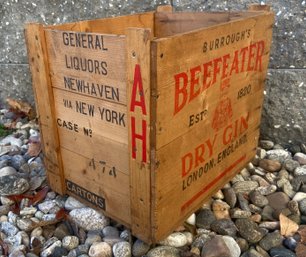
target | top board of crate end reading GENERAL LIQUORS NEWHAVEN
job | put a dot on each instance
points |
(88, 64)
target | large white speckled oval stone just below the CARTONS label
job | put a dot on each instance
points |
(89, 219)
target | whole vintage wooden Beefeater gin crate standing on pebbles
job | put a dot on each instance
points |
(145, 116)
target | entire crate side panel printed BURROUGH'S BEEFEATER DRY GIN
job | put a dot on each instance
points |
(210, 92)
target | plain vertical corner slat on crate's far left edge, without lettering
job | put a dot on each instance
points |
(37, 55)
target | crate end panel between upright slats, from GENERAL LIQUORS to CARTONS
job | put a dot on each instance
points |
(88, 76)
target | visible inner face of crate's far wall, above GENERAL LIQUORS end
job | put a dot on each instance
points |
(113, 25)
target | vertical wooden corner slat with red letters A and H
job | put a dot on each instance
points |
(138, 78)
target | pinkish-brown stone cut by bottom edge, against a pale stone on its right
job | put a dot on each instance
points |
(215, 247)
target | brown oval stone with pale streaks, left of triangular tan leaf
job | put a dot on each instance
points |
(249, 230)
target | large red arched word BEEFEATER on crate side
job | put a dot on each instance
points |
(189, 85)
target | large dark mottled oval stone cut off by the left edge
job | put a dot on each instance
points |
(13, 185)
